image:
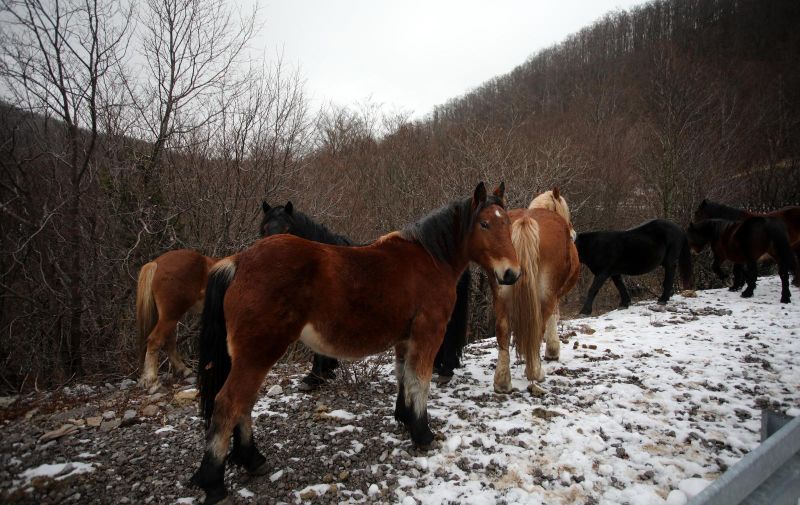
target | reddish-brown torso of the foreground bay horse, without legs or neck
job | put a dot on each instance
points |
(368, 294)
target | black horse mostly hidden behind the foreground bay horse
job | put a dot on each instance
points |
(284, 219)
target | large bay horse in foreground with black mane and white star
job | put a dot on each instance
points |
(345, 302)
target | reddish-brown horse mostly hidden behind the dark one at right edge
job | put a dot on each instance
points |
(789, 215)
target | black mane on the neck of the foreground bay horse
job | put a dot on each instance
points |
(436, 232)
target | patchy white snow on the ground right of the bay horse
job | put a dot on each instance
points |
(646, 406)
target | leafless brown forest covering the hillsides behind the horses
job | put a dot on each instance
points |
(127, 132)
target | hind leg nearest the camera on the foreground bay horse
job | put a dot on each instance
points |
(235, 400)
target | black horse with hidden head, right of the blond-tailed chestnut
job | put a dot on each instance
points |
(635, 251)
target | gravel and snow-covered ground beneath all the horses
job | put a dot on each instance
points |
(647, 405)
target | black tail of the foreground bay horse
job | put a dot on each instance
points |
(214, 363)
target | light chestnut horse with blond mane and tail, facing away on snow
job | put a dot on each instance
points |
(543, 241)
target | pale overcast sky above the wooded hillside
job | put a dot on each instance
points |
(411, 55)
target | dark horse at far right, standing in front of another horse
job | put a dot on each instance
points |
(744, 243)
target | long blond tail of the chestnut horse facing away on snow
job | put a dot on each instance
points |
(525, 311)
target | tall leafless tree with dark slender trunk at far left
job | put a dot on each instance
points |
(53, 60)
